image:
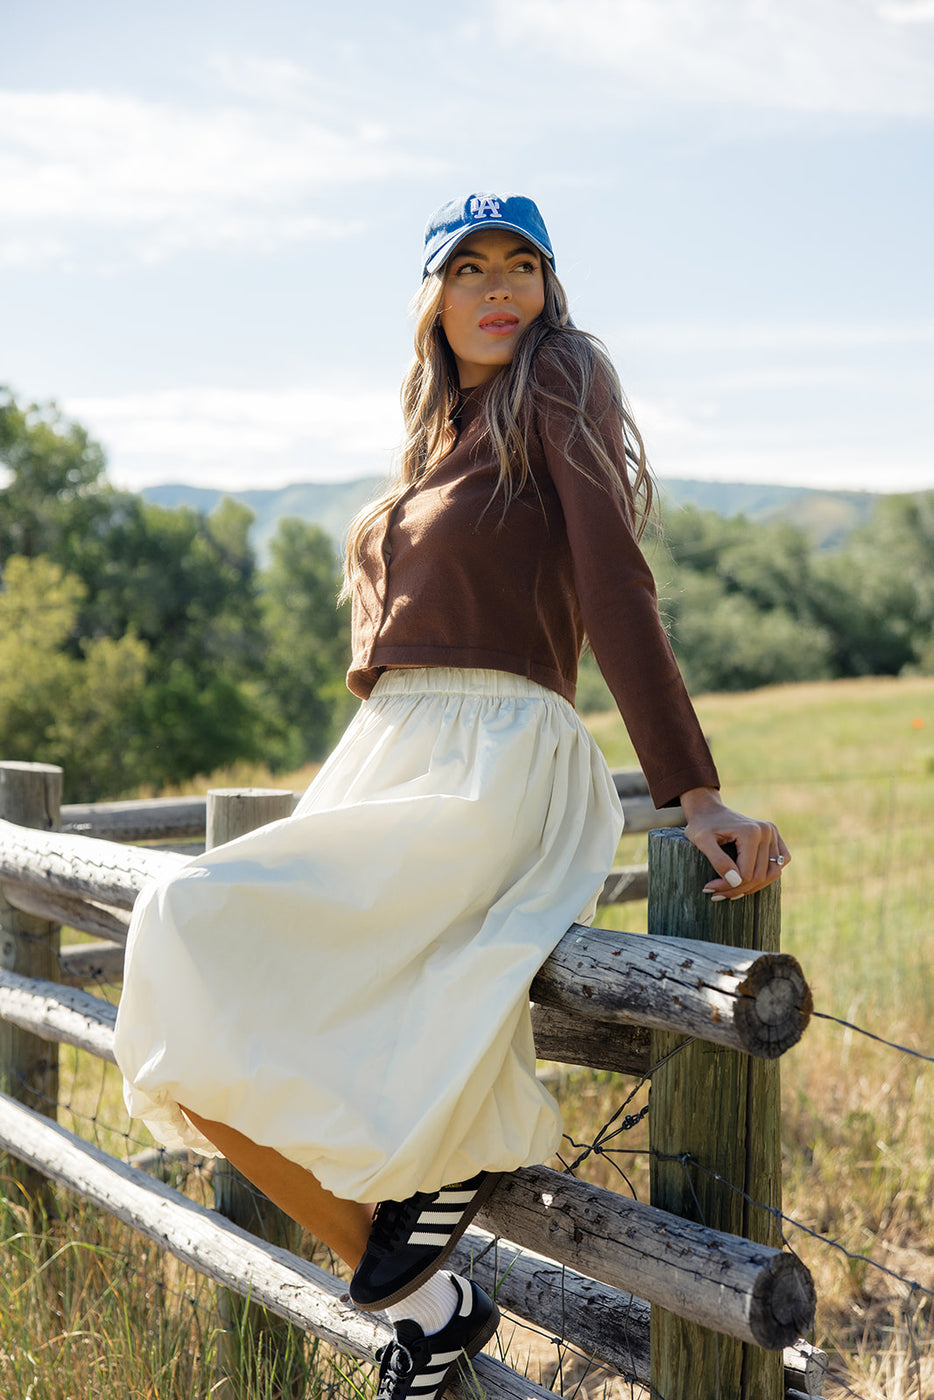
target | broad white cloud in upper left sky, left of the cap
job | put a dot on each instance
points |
(165, 177)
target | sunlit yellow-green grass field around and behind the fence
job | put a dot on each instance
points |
(848, 772)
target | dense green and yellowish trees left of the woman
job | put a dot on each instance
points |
(142, 646)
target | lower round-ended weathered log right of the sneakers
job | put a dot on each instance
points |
(744, 1290)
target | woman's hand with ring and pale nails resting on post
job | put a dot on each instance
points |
(761, 853)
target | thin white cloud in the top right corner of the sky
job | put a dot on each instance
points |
(845, 57)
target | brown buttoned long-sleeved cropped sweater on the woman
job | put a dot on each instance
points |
(450, 583)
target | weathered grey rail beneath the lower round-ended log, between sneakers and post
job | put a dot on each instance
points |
(604, 1324)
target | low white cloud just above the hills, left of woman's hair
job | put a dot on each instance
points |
(244, 439)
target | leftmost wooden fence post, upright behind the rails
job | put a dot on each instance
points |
(30, 796)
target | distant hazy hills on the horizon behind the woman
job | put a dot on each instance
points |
(828, 517)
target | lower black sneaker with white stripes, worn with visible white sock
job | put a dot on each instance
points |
(414, 1367)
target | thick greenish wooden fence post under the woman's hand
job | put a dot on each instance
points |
(723, 1109)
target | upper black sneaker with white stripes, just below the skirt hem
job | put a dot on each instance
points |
(411, 1240)
